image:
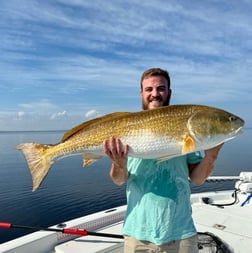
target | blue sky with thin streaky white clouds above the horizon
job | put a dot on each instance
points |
(63, 62)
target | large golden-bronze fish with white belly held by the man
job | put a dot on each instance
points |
(160, 133)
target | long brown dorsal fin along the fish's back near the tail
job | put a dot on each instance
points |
(94, 121)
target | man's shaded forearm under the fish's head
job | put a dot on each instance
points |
(200, 172)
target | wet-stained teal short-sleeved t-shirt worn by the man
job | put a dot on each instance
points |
(158, 195)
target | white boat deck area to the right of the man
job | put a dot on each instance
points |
(231, 223)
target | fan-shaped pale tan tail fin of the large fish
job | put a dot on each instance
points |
(38, 162)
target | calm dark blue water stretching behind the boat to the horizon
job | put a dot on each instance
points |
(70, 191)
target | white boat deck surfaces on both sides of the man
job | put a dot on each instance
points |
(230, 223)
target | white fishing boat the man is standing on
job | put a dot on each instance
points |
(223, 220)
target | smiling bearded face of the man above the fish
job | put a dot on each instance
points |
(155, 92)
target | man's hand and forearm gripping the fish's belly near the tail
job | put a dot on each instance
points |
(118, 153)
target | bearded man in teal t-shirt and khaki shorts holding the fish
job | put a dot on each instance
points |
(158, 217)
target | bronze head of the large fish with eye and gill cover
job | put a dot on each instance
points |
(211, 126)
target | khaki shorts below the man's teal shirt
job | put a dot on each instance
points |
(188, 245)
